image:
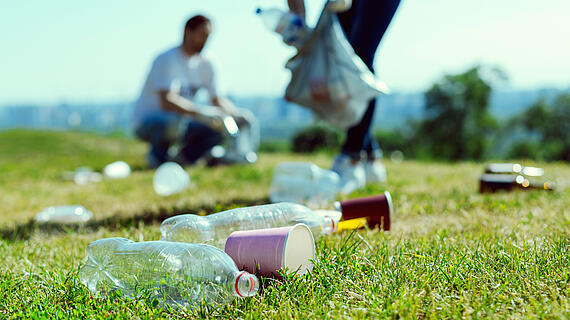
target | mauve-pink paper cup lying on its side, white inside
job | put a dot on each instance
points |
(266, 251)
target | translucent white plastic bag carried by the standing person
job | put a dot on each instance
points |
(329, 78)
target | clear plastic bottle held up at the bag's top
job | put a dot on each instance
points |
(290, 26)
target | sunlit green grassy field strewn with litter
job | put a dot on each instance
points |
(451, 253)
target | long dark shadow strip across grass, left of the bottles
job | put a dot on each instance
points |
(25, 230)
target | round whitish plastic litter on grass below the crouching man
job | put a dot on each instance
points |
(170, 178)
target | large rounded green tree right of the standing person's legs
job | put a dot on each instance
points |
(457, 121)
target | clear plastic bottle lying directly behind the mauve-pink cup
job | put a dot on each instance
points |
(214, 229)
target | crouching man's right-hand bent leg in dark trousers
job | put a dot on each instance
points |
(198, 140)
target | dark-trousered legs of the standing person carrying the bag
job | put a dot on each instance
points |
(365, 25)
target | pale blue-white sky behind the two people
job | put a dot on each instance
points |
(83, 51)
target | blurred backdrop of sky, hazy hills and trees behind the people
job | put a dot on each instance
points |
(481, 80)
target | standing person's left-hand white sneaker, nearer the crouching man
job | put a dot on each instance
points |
(351, 172)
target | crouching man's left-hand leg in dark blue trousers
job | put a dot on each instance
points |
(159, 130)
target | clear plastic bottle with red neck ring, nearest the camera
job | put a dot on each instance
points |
(172, 272)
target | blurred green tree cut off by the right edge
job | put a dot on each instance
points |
(552, 123)
